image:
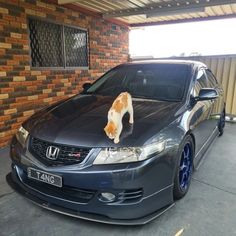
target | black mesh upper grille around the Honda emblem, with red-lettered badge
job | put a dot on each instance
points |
(68, 155)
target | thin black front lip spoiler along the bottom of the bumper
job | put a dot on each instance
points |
(82, 215)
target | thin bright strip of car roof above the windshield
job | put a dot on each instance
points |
(167, 61)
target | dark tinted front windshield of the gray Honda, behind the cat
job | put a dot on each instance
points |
(149, 81)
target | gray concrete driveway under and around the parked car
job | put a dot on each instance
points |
(208, 209)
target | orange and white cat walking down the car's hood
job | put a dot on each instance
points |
(121, 105)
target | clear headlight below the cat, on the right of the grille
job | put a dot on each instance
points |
(129, 154)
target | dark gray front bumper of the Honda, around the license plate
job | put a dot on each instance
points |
(153, 178)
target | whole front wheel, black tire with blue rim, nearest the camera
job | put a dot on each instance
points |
(183, 173)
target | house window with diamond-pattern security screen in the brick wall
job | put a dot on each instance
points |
(54, 45)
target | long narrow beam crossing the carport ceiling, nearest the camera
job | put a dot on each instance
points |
(170, 6)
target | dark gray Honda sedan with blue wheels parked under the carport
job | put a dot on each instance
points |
(63, 161)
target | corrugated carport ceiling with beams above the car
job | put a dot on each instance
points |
(148, 12)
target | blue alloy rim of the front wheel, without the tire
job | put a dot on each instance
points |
(185, 168)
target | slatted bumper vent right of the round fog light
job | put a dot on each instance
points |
(129, 196)
